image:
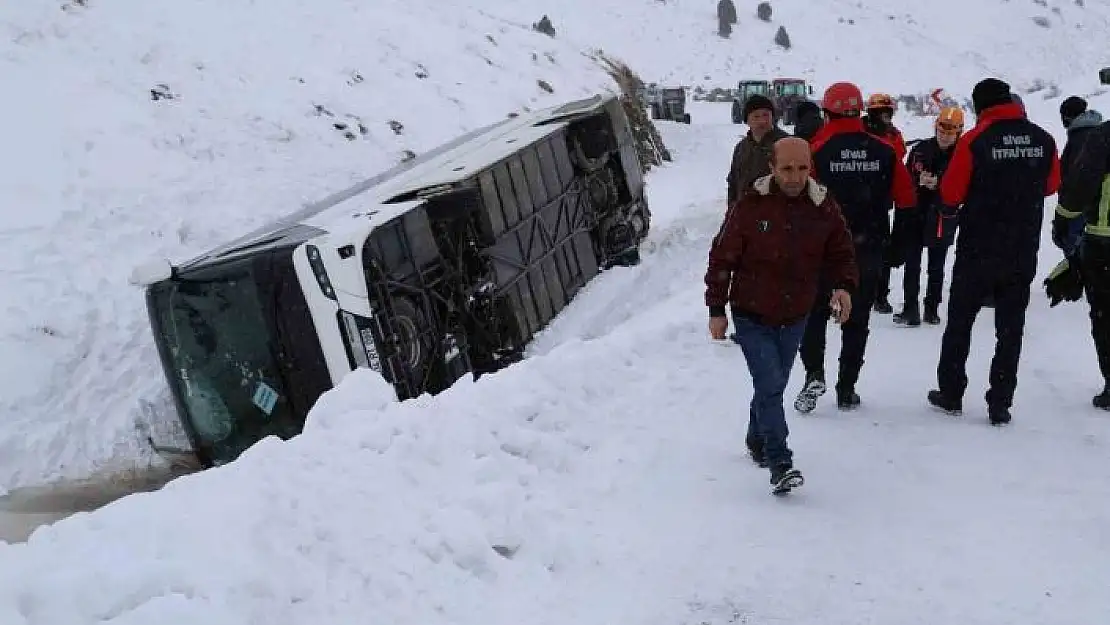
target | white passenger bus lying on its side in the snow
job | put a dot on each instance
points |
(443, 267)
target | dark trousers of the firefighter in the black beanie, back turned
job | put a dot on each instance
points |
(974, 281)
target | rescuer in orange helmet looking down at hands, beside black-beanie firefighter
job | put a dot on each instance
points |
(925, 227)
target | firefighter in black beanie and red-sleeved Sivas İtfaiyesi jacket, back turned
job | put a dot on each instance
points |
(1000, 176)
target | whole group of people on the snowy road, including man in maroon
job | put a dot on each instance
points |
(808, 238)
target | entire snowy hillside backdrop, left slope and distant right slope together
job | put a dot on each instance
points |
(103, 172)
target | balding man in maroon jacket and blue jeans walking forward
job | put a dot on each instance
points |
(766, 263)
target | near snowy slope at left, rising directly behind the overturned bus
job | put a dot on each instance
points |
(102, 173)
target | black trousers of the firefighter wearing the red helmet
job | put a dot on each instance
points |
(854, 331)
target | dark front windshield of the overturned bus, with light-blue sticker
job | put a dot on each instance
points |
(218, 352)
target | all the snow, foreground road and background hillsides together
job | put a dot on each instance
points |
(603, 480)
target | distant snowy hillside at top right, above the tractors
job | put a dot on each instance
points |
(884, 45)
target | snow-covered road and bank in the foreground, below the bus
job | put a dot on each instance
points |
(603, 481)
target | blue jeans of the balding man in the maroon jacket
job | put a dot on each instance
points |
(770, 352)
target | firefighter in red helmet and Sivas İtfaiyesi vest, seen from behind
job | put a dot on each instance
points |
(865, 176)
